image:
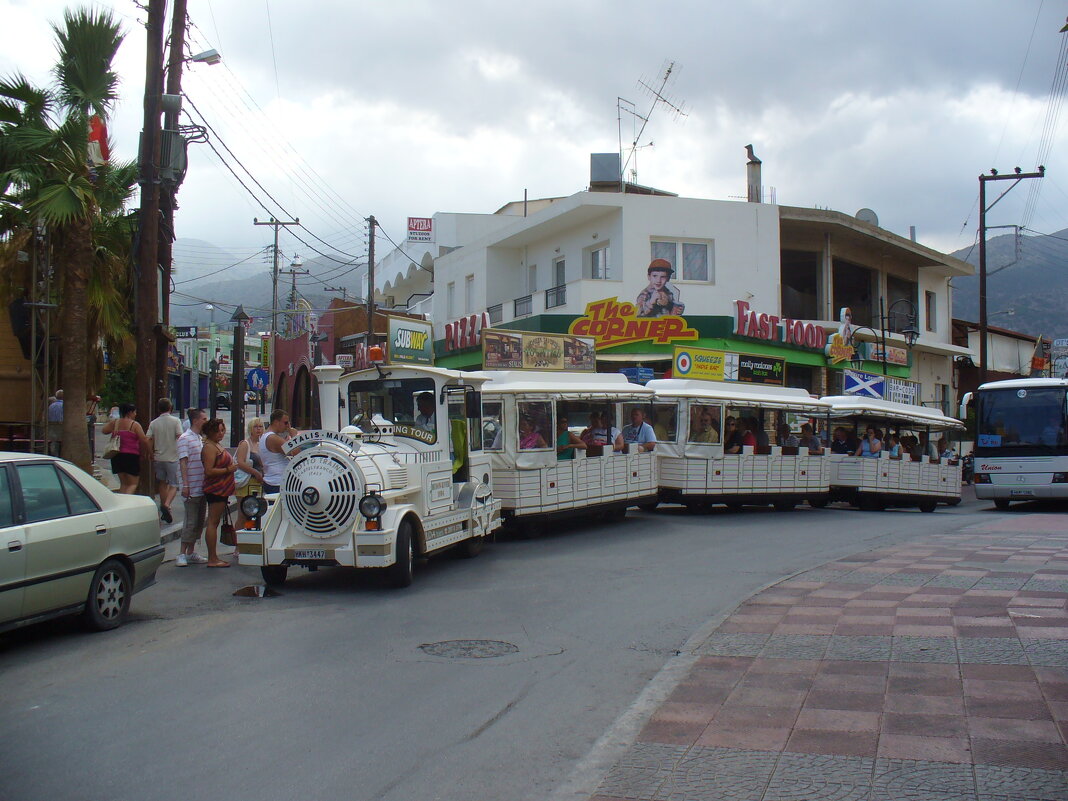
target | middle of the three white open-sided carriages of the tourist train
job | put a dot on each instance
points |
(698, 468)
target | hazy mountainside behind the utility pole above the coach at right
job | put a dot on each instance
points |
(1029, 278)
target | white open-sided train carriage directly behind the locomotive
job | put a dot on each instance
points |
(543, 468)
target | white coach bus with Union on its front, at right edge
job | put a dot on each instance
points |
(1022, 449)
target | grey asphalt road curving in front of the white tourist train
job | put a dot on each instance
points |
(325, 692)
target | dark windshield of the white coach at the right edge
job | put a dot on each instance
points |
(1019, 422)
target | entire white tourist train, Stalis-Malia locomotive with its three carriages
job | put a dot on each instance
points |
(414, 460)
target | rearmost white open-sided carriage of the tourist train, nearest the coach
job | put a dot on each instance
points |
(918, 478)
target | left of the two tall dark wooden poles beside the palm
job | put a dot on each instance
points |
(148, 255)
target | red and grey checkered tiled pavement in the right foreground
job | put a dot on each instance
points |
(932, 671)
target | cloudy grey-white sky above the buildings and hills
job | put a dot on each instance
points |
(344, 109)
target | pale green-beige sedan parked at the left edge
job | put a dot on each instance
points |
(73, 546)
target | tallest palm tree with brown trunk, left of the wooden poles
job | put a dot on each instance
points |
(45, 176)
